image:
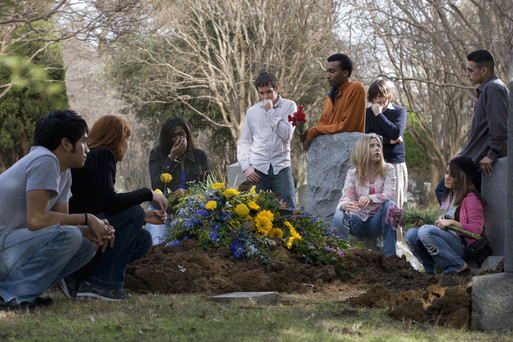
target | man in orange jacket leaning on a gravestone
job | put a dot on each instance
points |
(344, 107)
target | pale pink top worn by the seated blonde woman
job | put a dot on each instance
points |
(382, 191)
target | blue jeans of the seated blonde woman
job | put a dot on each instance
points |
(373, 227)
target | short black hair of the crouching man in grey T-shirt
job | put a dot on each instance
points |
(57, 125)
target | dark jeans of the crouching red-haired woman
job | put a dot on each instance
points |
(107, 270)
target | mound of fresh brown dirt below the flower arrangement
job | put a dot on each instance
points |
(387, 282)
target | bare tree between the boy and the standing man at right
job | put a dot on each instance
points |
(422, 46)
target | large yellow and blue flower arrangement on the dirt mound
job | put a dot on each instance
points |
(253, 224)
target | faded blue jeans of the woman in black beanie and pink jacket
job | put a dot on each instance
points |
(432, 245)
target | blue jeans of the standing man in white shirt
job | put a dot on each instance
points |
(283, 182)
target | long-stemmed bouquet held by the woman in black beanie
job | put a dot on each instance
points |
(407, 218)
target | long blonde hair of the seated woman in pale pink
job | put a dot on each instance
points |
(360, 157)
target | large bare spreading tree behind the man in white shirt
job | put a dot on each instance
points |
(202, 61)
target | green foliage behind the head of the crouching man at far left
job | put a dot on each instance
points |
(38, 87)
